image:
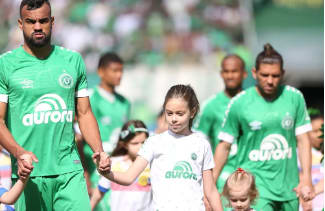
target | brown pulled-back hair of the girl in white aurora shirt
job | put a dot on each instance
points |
(187, 93)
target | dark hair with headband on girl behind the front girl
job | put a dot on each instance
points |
(129, 134)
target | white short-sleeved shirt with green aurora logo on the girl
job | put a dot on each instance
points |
(176, 166)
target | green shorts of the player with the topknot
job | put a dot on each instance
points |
(270, 205)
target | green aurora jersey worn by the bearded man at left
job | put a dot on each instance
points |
(40, 97)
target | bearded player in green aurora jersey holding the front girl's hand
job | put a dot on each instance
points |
(42, 86)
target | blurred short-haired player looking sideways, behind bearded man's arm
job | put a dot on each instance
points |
(111, 110)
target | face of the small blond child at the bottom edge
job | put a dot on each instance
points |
(239, 200)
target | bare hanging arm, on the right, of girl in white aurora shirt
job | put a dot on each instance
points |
(210, 191)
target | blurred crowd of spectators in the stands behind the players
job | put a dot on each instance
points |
(141, 31)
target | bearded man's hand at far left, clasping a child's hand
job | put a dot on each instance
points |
(25, 161)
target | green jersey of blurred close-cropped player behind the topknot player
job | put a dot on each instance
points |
(209, 122)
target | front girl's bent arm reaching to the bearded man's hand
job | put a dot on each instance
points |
(128, 177)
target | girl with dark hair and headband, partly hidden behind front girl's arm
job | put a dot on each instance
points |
(138, 195)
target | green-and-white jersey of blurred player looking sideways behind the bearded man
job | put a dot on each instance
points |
(111, 112)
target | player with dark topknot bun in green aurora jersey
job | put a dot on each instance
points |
(269, 122)
